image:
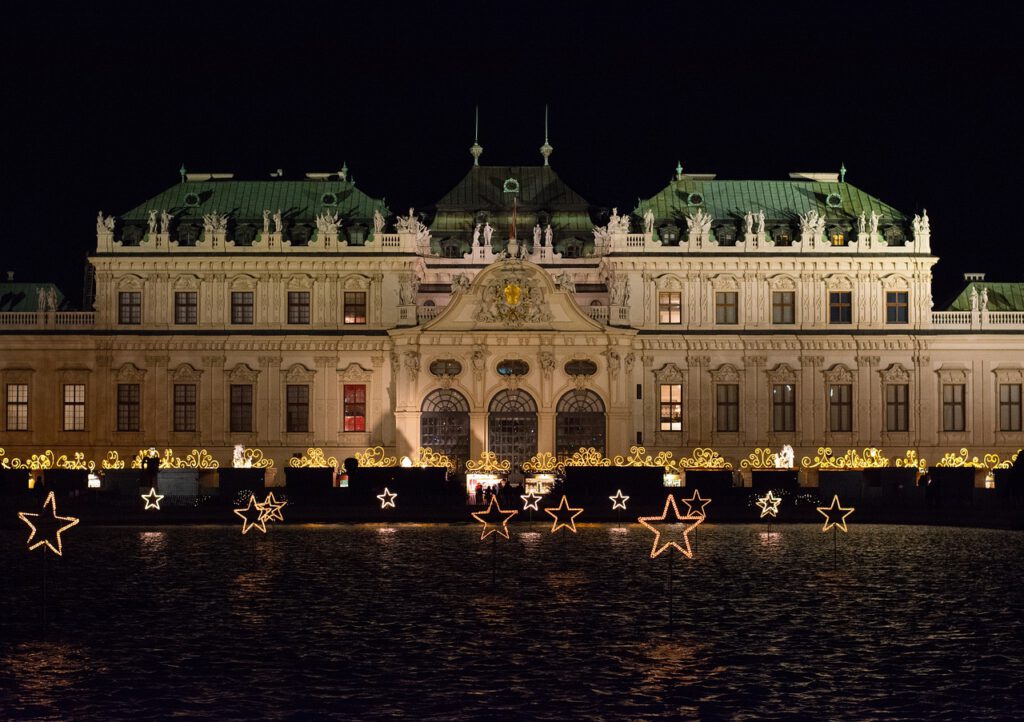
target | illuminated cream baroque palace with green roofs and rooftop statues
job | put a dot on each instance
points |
(514, 317)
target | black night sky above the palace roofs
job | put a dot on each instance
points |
(104, 104)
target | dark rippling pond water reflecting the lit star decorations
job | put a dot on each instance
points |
(368, 622)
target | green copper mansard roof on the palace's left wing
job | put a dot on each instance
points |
(246, 200)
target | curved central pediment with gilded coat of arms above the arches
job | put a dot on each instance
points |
(511, 295)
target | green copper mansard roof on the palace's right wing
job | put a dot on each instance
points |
(781, 200)
